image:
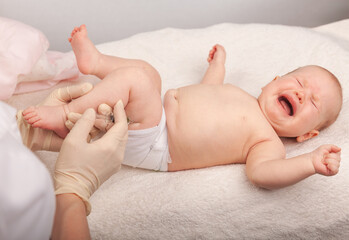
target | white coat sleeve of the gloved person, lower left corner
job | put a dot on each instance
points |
(27, 200)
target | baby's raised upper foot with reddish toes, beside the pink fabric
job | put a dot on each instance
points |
(87, 55)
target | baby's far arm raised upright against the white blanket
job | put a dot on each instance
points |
(215, 72)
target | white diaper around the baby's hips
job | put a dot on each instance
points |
(148, 148)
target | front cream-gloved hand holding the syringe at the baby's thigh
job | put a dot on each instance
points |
(82, 167)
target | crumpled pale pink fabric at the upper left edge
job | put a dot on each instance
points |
(25, 63)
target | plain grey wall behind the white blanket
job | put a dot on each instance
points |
(110, 20)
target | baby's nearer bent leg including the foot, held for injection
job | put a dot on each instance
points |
(137, 89)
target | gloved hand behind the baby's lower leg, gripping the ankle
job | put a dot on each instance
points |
(41, 139)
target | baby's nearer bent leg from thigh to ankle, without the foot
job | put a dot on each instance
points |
(137, 89)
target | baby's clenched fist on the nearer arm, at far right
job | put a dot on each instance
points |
(326, 159)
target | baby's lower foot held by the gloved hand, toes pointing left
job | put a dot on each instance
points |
(47, 117)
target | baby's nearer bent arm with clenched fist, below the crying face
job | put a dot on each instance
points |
(267, 168)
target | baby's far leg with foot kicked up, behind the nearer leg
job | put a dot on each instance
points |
(91, 61)
